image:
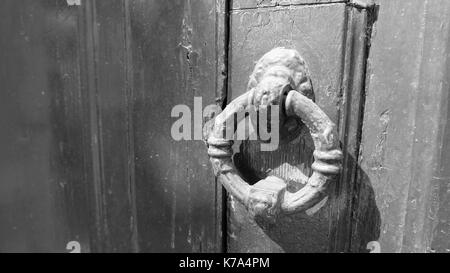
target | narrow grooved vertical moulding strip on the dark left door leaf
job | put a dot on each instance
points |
(108, 94)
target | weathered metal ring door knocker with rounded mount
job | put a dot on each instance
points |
(280, 78)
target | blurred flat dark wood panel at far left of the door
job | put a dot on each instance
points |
(43, 198)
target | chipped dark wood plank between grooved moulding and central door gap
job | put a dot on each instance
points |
(175, 54)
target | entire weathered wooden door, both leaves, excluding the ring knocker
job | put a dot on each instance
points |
(87, 155)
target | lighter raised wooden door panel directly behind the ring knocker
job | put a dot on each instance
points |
(332, 38)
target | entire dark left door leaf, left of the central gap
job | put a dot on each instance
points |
(88, 154)
